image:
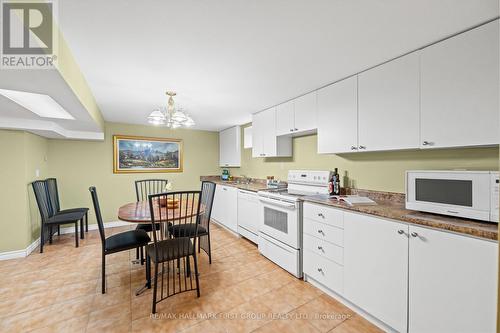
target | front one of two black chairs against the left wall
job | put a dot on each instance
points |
(48, 218)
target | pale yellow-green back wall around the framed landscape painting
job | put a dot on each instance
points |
(80, 164)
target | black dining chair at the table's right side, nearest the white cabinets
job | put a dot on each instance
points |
(203, 230)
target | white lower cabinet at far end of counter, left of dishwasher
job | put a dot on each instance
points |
(225, 207)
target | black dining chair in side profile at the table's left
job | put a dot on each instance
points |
(123, 241)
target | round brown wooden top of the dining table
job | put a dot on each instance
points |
(138, 212)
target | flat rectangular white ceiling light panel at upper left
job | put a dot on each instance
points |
(43, 105)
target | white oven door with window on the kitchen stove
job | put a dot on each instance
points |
(280, 220)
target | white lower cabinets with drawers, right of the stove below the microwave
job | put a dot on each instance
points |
(413, 279)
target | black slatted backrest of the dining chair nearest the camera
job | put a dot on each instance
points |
(182, 216)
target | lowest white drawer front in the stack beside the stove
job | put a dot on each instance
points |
(324, 271)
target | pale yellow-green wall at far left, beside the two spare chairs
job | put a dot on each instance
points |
(23, 153)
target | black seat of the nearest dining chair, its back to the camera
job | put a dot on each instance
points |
(171, 249)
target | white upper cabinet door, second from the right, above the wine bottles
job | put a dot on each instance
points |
(389, 111)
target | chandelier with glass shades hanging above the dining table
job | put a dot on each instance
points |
(170, 116)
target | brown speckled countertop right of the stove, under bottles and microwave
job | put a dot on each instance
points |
(395, 209)
